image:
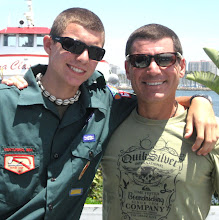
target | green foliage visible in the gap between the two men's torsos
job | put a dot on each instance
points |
(95, 194)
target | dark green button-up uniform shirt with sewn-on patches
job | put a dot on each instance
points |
(47, 163)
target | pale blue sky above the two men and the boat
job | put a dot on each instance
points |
(196, 22)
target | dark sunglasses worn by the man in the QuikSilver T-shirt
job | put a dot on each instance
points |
(144, 60)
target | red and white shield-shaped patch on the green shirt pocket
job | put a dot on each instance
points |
(19, 163)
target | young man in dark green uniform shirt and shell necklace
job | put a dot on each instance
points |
(52, 133)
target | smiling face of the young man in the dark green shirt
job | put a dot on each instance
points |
(70, 69)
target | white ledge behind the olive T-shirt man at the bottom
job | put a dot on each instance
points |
(94, 212)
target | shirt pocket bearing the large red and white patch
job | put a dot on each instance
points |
(19, 174)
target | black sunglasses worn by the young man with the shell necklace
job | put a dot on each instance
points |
(77, 47)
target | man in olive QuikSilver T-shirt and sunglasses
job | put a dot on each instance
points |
(149, 169)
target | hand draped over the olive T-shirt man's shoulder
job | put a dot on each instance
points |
(201, 116)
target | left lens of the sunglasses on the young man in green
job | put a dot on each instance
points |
(73, 46)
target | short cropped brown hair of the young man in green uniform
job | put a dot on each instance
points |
(80, 16)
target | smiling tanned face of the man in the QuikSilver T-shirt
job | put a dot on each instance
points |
(154, 83)
